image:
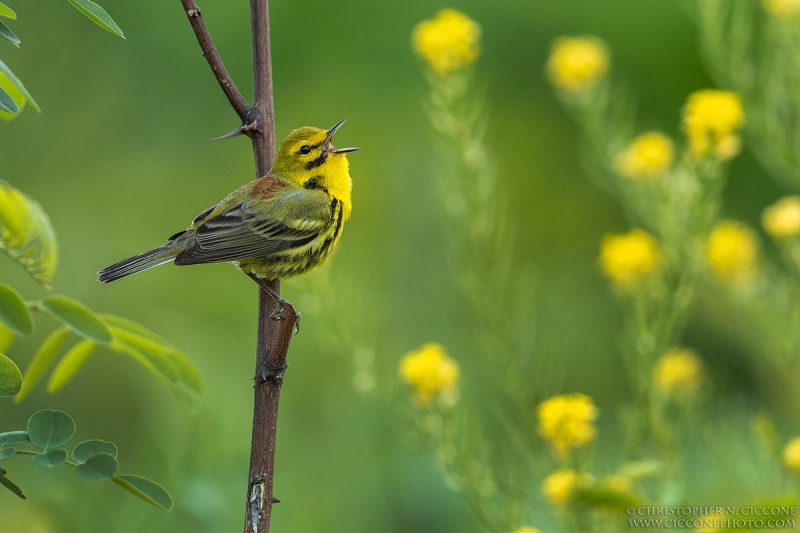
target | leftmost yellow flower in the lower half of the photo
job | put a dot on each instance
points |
(431, 373)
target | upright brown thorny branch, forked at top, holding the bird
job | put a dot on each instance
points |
(274, 336)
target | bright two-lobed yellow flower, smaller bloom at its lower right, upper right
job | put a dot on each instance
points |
(710, 119)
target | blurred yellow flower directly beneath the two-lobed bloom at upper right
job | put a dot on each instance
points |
(732, 251)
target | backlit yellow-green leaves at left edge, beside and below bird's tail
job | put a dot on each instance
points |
(26, 236)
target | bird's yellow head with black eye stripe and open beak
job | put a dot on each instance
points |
(309, 158)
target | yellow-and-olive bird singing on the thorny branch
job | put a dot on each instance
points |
(277, 226)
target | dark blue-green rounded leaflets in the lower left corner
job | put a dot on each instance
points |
(94, 459)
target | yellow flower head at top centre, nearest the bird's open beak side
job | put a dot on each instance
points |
(448, 42)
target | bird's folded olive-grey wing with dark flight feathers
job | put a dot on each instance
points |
(264, 223)
